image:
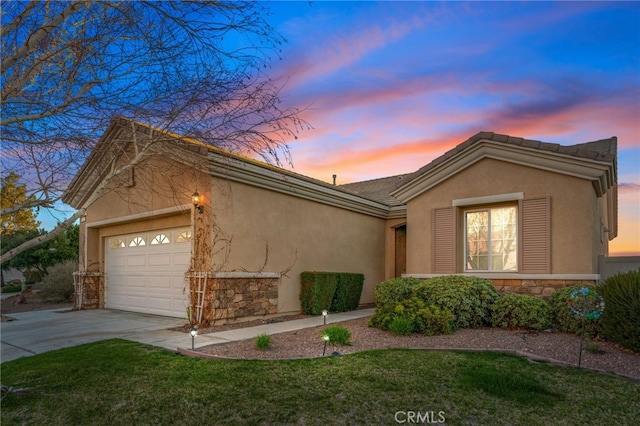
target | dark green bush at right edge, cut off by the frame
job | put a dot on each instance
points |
(621, 317)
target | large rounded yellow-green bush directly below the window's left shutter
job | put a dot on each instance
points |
(469, 298)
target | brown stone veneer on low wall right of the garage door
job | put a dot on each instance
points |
(227, 299)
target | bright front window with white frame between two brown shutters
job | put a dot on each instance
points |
(491, 239)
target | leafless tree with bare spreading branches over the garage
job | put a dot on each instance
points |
(194, 68)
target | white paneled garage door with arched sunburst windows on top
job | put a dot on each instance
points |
(145, 272)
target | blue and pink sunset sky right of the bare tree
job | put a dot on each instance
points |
(389, 86)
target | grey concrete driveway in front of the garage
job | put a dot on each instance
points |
(41, 331)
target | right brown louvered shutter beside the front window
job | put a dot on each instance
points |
(535, 236)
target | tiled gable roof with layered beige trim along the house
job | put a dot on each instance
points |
(384, 197)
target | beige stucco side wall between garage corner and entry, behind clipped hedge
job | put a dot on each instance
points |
(268, 231)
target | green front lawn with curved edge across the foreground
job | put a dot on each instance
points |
(120, 382)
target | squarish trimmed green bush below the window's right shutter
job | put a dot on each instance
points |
(521, 311)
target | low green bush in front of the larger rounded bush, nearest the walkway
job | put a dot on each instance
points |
(427, 319)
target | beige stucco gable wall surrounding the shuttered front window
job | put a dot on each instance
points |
(572, 212)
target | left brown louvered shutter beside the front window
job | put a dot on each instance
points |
(444, 244)
